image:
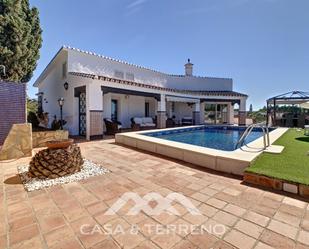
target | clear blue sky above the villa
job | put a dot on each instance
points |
(262, 44)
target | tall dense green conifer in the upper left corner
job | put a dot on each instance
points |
(20, 39)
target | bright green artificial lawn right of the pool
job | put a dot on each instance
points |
(292, 164)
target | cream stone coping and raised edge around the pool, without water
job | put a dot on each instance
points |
(233, 162)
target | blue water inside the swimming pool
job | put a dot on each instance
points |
(215, 137)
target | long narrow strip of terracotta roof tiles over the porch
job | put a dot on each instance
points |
(133, 83)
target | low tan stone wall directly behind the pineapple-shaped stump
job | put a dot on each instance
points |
(39, 138)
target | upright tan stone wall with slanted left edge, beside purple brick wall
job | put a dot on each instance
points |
(18, 142)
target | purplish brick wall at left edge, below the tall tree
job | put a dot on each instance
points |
(12, 106)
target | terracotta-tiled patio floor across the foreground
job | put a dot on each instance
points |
(53, 218)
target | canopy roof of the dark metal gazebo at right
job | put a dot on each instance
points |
(290, 98)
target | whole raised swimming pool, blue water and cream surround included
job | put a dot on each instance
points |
(211, 147)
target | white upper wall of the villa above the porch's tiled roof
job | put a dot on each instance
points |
(87, 63)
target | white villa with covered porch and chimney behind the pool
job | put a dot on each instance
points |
(95, 87)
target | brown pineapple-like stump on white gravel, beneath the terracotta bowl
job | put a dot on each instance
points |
(54, 163)
